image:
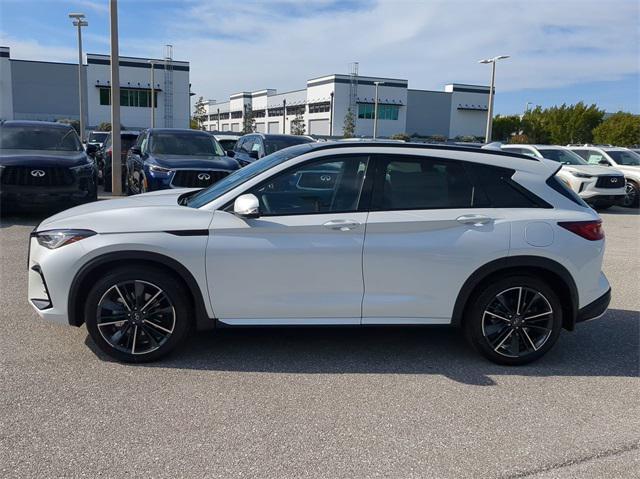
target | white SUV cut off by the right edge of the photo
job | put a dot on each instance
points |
(622, 159)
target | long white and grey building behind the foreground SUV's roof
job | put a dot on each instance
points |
(459, 110)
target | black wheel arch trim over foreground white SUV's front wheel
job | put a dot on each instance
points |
(202, 319)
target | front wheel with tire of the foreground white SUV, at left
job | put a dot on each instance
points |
(130, 332)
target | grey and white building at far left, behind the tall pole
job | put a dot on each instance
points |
(48, 91)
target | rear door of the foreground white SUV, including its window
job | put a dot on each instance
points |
(428, 230)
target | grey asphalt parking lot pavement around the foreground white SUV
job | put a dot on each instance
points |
(410, 402)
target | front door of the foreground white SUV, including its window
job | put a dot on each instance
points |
(300, 261)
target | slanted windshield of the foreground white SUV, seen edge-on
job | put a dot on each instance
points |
(238, 177)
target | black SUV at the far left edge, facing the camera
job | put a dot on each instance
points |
(43, 163)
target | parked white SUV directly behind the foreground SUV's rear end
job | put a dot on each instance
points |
(599, 186)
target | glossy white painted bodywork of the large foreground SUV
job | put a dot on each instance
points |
(378, 267)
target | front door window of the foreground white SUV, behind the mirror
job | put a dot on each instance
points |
(333, 185)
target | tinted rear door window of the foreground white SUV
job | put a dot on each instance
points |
(423, 183)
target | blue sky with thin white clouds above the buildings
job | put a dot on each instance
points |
(562, 51)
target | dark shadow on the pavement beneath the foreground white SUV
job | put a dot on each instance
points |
(605, 347)
